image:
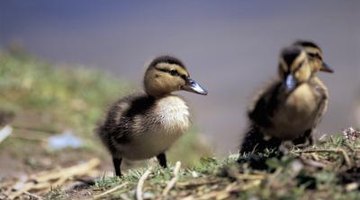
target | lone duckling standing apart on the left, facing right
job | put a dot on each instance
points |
(144, 125)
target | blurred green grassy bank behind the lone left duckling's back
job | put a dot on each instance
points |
(46, 100)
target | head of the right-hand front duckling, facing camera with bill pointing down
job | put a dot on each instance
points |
(294, 67)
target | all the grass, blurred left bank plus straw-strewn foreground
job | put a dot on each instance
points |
(47, 100)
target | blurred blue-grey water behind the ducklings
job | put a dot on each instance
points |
(230, 47)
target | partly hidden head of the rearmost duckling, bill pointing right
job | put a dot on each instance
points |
(315, 56)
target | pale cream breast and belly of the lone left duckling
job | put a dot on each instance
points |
(159, 129)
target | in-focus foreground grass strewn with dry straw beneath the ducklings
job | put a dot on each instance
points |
(317, 172)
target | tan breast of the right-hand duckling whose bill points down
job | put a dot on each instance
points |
(299, 112)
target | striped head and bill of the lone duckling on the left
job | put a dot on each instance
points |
(167, 74)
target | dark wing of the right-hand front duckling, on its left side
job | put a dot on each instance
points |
(265, 105)
